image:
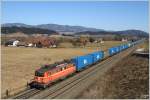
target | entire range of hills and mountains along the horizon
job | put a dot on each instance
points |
(77, 30)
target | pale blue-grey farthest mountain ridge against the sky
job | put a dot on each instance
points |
(55, 27)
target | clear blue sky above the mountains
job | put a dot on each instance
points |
(107, 15)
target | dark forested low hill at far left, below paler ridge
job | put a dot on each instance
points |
(25, 30)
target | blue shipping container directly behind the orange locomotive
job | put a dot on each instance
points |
(82, 61)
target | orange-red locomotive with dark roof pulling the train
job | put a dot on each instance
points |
(51, 73)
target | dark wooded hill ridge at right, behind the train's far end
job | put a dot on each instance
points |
(138, 33)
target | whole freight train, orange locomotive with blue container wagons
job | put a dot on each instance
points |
(49, 74)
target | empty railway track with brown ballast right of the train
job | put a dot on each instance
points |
(63, 88)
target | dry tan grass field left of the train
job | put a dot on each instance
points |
(19, 63)
